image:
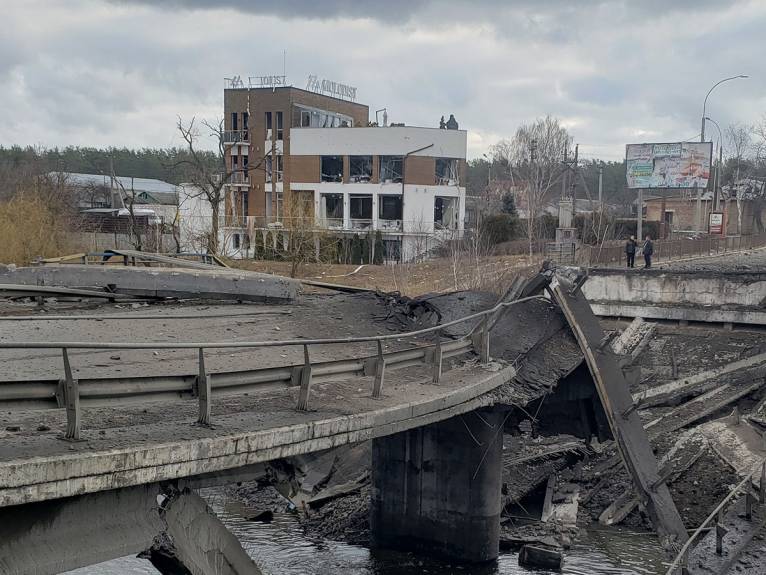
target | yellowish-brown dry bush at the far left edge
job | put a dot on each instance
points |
(29, 228)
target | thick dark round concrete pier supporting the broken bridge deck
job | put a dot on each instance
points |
(437, 488)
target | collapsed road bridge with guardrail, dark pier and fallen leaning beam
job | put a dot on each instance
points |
(497, 357)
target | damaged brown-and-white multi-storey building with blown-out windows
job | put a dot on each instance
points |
(301, 159)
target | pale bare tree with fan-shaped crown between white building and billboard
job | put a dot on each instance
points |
(533, 158)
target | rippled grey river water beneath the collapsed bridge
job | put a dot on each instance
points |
(280, 548)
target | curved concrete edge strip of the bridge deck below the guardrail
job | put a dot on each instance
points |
(150, 442)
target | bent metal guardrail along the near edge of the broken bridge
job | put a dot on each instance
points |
(67, 392)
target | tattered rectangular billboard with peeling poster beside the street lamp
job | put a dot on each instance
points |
(671, 165)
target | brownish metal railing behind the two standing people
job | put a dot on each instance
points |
(667, 250)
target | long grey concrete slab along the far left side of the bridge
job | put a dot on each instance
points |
(217, 284)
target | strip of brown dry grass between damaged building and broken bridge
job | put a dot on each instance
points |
(488, 273)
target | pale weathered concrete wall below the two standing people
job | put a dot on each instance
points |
(658, 287)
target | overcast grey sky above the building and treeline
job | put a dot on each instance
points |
(119, 72)
